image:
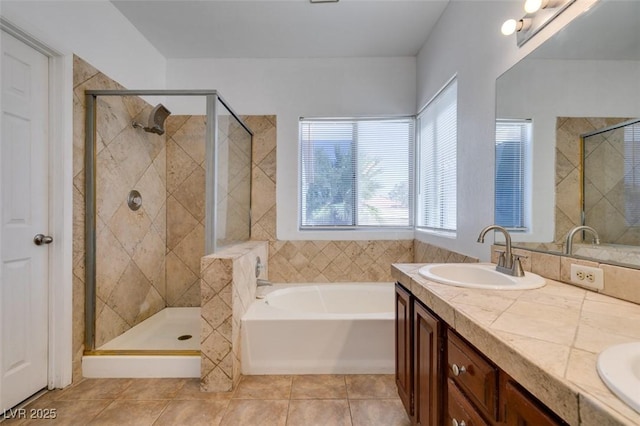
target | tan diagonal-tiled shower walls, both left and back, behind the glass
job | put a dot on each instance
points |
(136, 250)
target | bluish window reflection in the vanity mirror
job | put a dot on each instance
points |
(512, 141)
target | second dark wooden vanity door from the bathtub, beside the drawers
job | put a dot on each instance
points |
(427, 378)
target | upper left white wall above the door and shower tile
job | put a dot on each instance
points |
(96, 31)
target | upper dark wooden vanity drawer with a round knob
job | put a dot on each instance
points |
(477, 378)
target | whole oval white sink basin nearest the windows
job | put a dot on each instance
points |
(479, 275)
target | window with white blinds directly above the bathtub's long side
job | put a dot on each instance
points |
(355, 173)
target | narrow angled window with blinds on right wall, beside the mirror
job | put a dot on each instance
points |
(437, 144)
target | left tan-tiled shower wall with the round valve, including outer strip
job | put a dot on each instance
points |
(130, 245)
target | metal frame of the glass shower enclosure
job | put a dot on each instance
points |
(211, 156)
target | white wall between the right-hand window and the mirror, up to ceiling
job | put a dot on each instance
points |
(467, 42)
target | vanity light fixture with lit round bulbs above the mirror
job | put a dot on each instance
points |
(538, 14)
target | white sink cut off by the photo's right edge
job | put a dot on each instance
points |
(619, 368)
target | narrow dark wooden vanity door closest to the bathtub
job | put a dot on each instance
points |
(404, 352)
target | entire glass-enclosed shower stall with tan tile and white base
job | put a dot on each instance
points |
(161, 191)
